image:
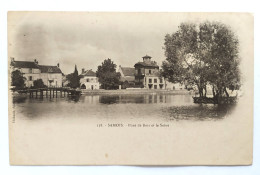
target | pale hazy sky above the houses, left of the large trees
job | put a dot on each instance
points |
(86, 39)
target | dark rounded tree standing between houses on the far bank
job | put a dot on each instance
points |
(108, 77)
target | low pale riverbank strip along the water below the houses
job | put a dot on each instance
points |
(134, 91)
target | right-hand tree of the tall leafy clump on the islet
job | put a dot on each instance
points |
(221, 49)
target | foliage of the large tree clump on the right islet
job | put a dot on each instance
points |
(201, 55)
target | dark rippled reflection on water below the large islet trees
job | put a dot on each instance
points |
(199, 112)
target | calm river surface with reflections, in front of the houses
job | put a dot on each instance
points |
(161, 107)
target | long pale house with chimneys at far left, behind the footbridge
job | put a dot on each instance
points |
(31, 70)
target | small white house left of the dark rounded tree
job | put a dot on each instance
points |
(89, 80)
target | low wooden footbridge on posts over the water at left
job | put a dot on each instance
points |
(51, 92)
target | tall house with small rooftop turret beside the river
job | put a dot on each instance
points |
(147, 74)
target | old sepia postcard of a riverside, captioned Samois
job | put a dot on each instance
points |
(104, 88)
